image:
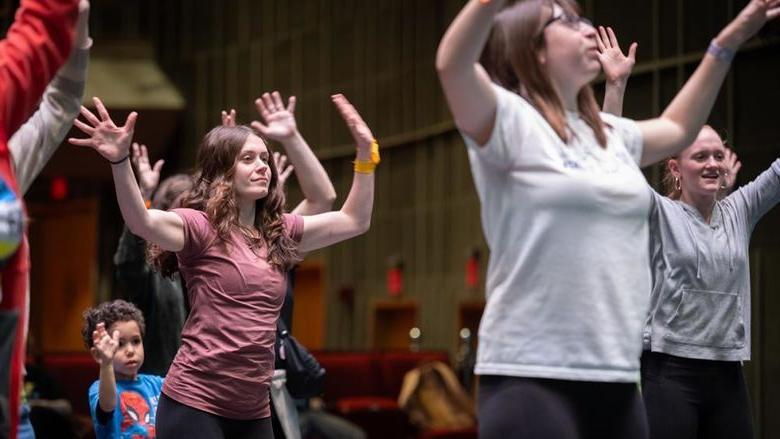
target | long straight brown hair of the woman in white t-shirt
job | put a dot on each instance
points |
(511, 60)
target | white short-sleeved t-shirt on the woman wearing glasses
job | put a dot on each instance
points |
(568, 279)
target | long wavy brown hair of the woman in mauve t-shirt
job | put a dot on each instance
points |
(213, 193)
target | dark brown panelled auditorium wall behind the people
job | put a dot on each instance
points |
(381, 54)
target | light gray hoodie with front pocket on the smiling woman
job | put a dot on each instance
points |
(700, 301)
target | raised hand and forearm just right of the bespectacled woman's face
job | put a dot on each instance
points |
(617, 68)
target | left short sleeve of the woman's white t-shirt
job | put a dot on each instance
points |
(513, 115)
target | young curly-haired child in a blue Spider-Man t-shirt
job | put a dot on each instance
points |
(123, 403)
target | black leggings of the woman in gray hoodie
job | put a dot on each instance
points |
(689, 399)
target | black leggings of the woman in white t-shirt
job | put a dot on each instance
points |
(514, 407)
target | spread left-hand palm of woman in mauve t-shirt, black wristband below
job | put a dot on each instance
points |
(108, 139)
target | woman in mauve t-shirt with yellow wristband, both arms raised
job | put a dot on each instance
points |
(233, 246)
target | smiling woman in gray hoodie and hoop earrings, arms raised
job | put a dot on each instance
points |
(697, 331)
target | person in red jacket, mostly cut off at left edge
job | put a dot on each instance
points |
(36, 45)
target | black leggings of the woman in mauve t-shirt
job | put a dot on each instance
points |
(178, 421)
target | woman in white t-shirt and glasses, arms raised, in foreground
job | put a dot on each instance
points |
(564, 212)
